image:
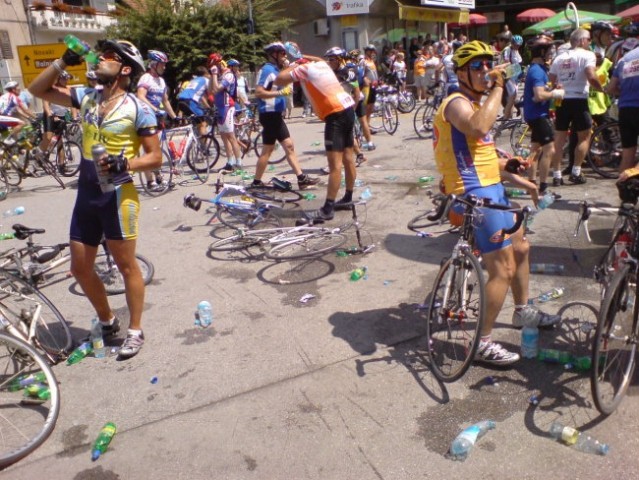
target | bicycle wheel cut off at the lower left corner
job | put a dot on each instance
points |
(25, 422)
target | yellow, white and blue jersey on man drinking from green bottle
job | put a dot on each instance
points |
(119, 131)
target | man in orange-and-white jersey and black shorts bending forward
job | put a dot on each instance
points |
(336, 108)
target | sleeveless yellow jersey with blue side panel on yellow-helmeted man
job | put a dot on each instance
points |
(466, 163)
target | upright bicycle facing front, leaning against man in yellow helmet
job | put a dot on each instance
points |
(457, 302)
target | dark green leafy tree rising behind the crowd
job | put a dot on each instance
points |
(189, 31)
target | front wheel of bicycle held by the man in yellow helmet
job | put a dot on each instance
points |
(456, 309)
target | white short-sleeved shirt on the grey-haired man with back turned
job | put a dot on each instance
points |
(570, 69)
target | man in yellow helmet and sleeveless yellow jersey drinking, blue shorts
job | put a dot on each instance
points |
(466, 157)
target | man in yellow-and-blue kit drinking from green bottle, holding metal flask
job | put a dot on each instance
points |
(127, 128)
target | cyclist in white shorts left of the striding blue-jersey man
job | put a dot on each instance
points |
(223, 87)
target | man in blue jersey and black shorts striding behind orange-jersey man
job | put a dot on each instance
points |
(271, 106)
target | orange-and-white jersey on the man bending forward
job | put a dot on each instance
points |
(322, 88)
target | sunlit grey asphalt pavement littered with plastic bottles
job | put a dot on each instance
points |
(337, 387)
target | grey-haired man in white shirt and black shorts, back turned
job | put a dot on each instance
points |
(574, 71)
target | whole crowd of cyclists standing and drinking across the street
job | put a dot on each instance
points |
(126, 99)
